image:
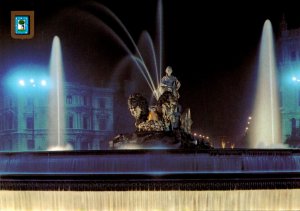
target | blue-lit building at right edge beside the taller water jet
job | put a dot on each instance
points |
(289, 76)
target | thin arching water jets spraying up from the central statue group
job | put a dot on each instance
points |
(146, 56)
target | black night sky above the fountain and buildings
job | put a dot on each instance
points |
(211, 46)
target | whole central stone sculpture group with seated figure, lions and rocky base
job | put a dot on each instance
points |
(162, 124)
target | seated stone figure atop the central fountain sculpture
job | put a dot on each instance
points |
(170, 83)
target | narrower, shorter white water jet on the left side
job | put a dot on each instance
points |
(56, 128)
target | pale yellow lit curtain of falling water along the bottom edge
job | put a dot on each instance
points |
(151, 200)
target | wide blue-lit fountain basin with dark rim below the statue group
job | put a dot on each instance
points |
(174, 169)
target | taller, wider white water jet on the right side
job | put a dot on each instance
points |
(265, 128)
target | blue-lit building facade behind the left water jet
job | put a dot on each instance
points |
(24, 118)
